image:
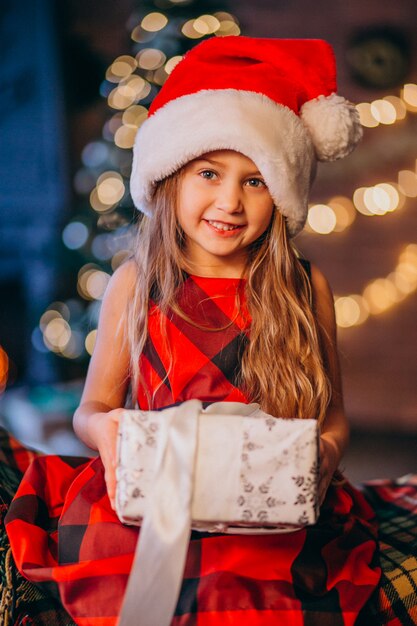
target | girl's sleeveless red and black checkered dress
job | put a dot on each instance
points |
(65, 536)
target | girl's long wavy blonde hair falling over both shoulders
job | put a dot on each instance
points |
(282, 366)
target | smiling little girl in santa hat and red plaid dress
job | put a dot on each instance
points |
(215, 304)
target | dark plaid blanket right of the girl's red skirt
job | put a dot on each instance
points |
(395, 503)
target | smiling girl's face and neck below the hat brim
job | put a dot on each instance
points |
(223, 207)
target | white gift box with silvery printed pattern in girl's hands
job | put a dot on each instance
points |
(247, 471)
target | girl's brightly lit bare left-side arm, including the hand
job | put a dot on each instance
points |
(96, 419)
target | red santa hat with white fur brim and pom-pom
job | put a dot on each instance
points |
(273, 100)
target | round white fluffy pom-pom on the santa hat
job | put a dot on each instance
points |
(334, 126)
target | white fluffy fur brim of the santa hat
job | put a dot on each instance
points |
(271, 135)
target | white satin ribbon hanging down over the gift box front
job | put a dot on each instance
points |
(158, 566)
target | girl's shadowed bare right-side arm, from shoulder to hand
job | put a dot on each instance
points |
(335, 429)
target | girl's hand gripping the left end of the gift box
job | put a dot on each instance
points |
(103, 430)
